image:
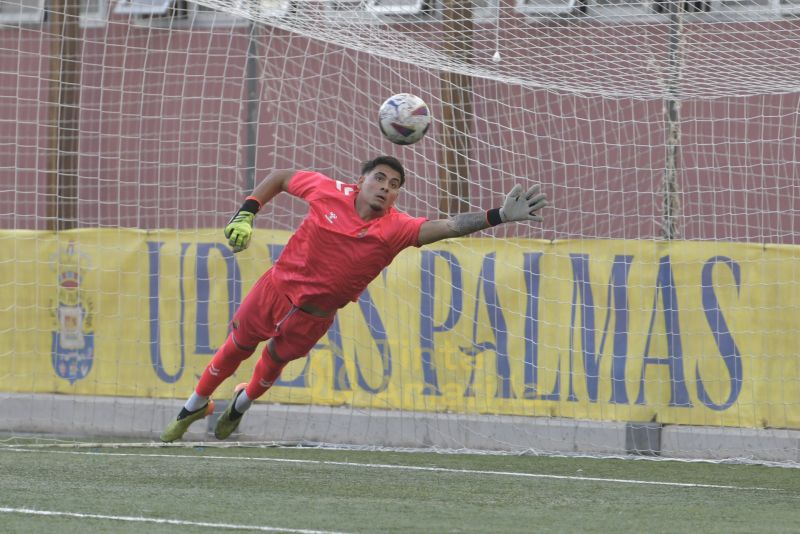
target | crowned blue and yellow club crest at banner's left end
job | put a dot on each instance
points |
(73, 335)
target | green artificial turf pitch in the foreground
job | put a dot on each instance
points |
(336, 491)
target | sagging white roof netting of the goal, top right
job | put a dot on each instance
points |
(616, 49)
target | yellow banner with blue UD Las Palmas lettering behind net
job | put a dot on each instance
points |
(698, 333)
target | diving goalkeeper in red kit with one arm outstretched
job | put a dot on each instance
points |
(351, 233)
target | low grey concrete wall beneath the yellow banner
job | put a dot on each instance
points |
(87, 418)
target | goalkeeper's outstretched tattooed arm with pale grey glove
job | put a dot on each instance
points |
(518, 206)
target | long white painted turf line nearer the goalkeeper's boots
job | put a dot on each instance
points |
(414, 468)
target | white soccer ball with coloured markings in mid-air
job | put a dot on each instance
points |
(404, 119)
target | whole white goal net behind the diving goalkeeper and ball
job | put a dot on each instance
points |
(654, 311)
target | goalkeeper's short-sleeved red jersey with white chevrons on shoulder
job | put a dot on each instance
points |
(335, 254)
